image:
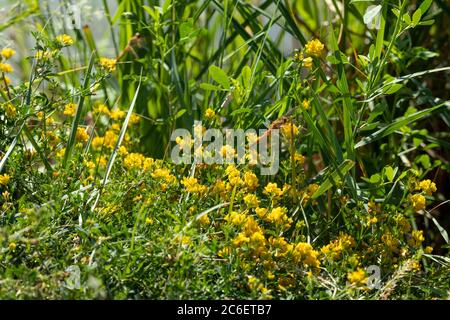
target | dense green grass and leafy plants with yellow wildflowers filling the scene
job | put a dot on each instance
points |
(97, 190)
